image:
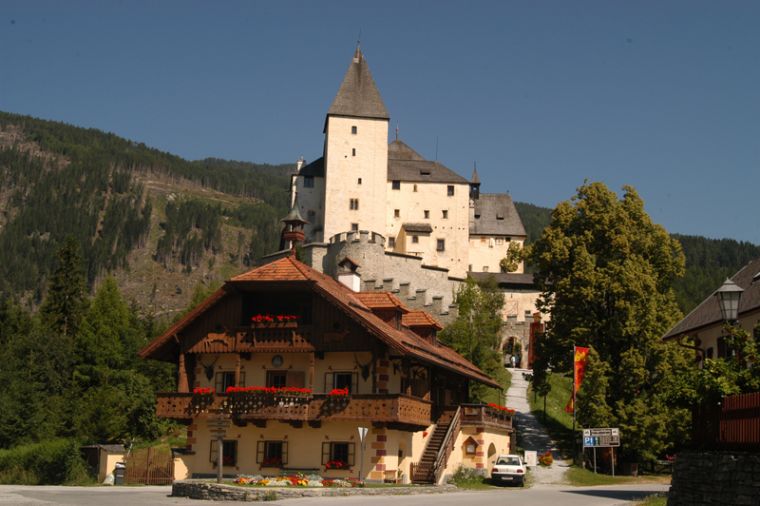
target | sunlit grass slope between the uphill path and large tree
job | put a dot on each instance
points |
(558, 423)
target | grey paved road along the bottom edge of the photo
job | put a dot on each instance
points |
(552, 495)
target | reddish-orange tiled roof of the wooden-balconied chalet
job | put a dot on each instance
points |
(288, 269)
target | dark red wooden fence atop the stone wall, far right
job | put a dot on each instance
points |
(734, 424)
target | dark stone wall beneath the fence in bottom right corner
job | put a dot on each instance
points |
(715, 477)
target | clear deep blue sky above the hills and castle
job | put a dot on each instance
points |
(664, 96)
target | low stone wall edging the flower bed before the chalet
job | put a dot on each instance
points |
(215, 492)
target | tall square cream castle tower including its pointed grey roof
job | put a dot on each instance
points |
(355, 154)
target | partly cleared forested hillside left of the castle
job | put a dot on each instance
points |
(145, 216)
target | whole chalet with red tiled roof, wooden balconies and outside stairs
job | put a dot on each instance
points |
(298, 361)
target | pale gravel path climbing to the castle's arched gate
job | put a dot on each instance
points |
(531, 435)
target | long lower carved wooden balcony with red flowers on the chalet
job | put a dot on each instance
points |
(380, 408)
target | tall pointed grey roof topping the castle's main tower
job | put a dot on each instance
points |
(358, 95)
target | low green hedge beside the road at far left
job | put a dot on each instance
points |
(52, 462)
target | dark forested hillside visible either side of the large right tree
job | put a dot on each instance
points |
(708, 261)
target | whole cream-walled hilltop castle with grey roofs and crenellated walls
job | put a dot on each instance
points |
(398, 222)
